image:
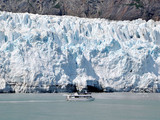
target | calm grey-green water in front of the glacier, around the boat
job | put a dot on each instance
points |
(112, 106)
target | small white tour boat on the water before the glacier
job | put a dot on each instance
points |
(80, 97)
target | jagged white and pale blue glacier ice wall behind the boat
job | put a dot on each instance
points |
(40, 51)
